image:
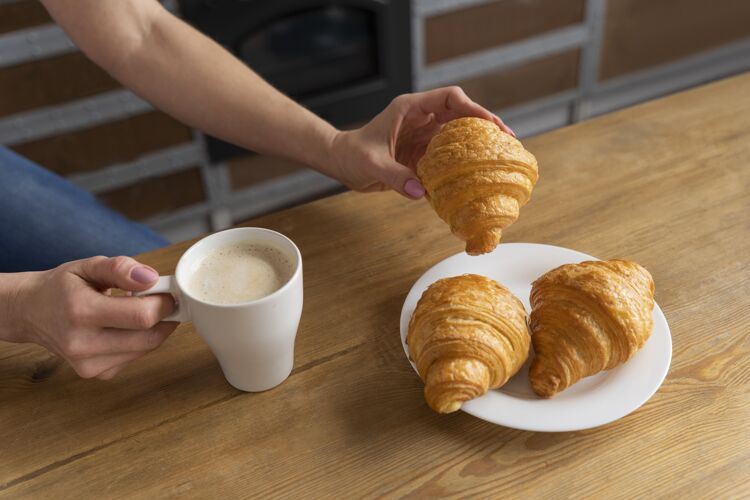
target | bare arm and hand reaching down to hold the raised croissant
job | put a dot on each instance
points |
(189, 76)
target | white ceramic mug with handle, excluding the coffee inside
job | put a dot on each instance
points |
(253, 341)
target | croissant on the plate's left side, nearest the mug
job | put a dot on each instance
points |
(468, 334)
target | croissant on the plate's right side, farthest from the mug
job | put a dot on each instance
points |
(586, 318)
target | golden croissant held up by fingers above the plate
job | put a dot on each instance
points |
(477, 177)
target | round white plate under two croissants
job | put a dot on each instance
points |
(593, 401)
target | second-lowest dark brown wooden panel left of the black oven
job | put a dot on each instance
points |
(114, 142)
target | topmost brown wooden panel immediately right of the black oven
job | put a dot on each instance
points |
(490, 25)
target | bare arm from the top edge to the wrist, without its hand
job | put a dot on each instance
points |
(195, 80)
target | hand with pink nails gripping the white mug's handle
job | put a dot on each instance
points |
(70, 311)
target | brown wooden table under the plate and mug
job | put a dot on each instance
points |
(666, 183)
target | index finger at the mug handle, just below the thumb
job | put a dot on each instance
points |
(132, 313)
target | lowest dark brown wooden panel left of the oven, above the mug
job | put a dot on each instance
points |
(157, 195)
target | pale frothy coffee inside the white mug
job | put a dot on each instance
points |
(238, 272)
